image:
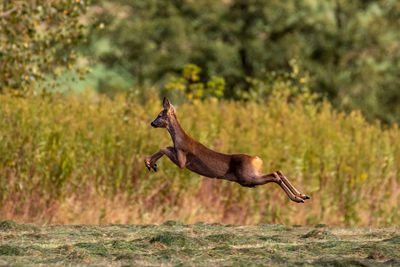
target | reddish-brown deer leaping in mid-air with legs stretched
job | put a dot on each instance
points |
(189, 153)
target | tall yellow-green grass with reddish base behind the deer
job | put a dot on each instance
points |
(79, 159)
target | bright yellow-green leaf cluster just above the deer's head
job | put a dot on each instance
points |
(189, 85)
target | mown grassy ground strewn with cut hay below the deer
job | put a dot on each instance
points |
(173, 243)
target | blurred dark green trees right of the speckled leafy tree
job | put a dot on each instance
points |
(350, 49)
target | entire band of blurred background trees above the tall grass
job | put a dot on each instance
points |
(348, 52)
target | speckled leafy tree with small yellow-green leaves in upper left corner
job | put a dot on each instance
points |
(38, 37)
